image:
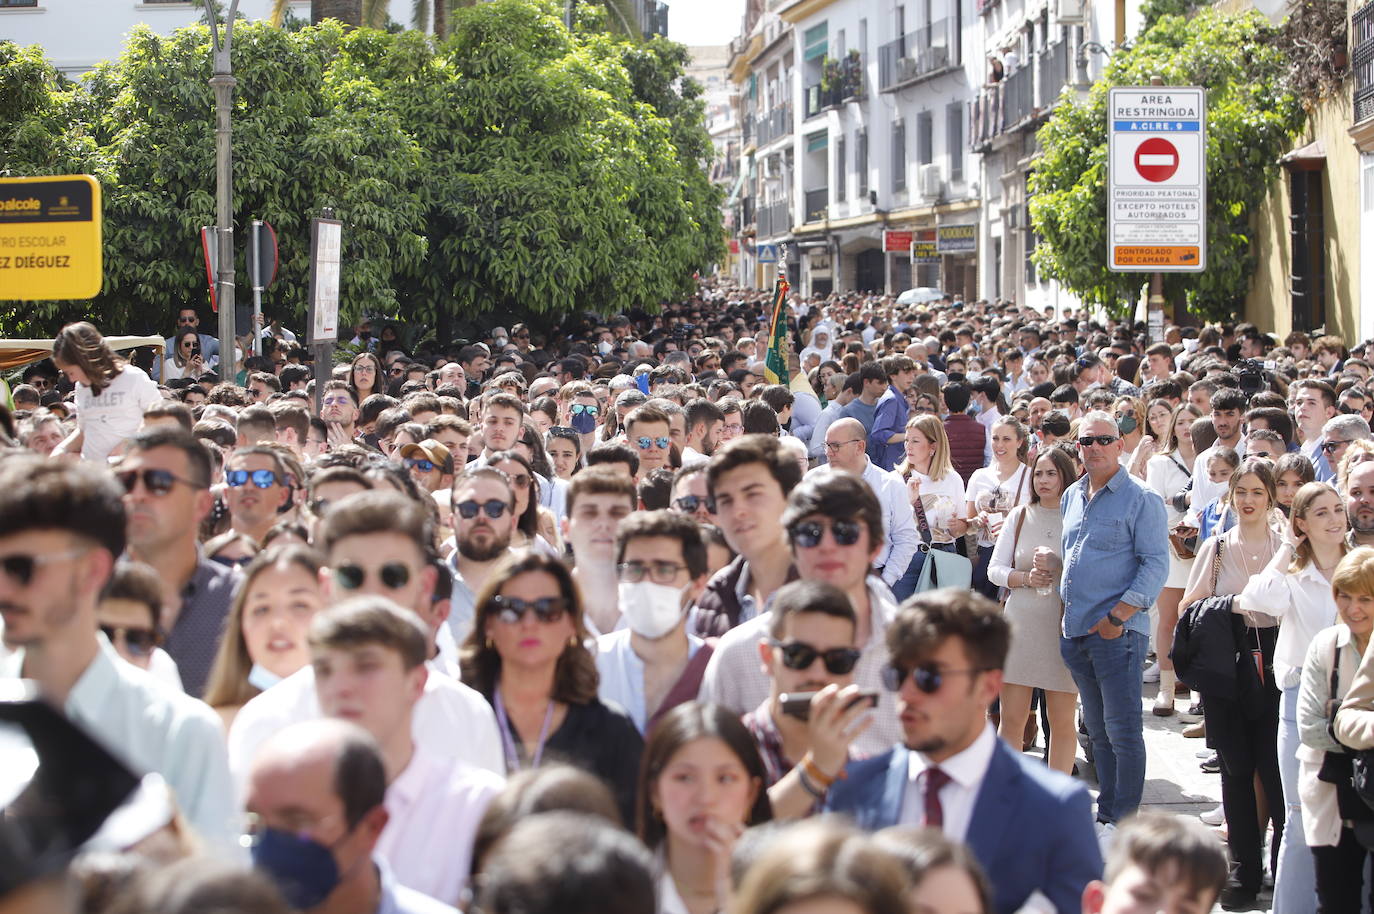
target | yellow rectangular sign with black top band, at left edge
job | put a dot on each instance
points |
(50, 237)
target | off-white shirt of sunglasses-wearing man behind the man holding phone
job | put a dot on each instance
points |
(736, 677)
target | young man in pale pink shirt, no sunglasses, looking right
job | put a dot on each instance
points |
(369, 658)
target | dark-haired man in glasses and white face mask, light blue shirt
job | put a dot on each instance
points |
(653, 665)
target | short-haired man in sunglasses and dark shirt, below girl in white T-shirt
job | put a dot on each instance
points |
(166, 476)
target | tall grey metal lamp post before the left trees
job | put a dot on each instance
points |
(223, 85)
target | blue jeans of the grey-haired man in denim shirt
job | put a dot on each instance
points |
(1108, 674)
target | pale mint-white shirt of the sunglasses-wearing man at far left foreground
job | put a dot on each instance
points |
(153, 728)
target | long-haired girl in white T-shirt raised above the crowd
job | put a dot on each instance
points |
(112, 394)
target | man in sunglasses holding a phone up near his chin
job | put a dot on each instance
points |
(814, 710)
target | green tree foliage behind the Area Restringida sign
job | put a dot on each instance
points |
(1252, 119)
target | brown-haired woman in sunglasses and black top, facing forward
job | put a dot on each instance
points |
(527, 656)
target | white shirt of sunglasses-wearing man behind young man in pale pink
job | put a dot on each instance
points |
(451, 722)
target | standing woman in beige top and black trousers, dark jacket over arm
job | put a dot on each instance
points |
(1246, 731)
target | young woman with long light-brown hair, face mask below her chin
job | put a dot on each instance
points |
(264, 634)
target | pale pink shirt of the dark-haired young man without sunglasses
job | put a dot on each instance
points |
(435, 809)
